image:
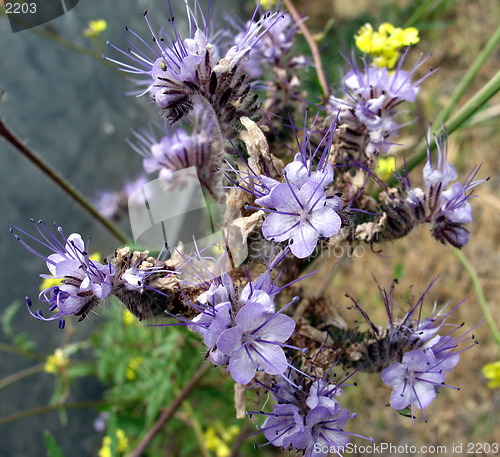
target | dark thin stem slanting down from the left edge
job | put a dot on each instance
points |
(60, 181)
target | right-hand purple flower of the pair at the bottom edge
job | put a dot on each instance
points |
(323, 430)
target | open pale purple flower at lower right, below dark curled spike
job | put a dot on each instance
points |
(414, 380)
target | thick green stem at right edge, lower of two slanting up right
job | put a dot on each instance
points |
(464, 114)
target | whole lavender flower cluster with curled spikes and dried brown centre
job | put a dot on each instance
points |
(299, 188)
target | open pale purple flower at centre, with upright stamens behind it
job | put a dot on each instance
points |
(300, 210)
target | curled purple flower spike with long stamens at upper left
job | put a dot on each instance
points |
(178, 72)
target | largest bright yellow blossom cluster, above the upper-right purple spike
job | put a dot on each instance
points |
(384, 45)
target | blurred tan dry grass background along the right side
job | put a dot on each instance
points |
(471, 415)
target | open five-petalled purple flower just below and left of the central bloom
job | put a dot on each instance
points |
(254, 343)
